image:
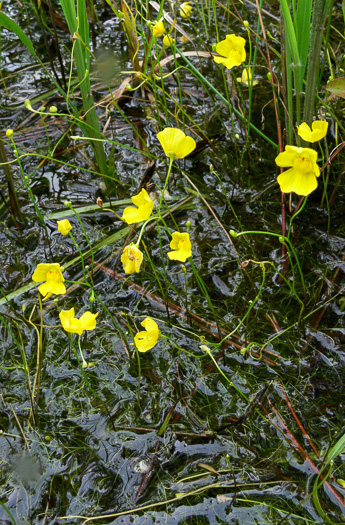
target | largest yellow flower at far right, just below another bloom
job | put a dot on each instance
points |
(301, 177)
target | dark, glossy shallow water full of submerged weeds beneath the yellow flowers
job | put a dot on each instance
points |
(95, 447)
